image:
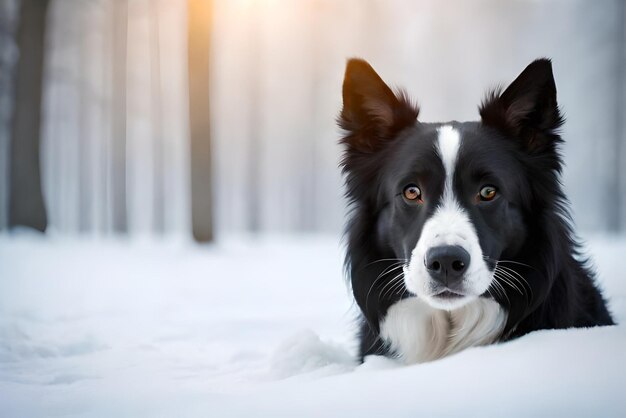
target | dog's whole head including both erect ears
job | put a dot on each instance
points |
(450, 199)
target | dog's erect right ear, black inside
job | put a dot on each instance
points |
(527, 108)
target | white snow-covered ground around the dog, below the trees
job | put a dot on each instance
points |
(261, 327)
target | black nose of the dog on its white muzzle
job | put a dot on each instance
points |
(447, 264)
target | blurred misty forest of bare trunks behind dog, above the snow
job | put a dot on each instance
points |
(115, 147)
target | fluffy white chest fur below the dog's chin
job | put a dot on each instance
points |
(418, 333)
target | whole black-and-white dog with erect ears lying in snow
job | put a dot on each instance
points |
(459, 233)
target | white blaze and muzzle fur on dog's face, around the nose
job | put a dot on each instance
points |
(449, 225)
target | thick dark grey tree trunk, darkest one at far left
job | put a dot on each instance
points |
(26, 200)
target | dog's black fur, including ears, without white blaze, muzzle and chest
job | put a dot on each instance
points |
(516, 144)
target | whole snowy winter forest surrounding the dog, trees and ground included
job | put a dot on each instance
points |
(172, 205)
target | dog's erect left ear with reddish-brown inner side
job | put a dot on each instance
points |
(372, 113)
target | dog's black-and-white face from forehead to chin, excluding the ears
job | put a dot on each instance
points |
(453, 209)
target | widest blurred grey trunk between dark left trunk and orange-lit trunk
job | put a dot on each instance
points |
(118, 140)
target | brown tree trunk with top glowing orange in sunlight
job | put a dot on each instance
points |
(199, 20)
